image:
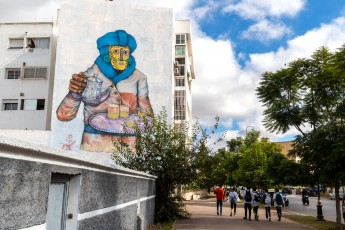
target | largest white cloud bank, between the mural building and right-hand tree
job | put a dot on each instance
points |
(222, 88)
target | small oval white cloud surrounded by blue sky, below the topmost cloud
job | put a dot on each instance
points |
(265, 30)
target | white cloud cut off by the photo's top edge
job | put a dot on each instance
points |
(258, 10)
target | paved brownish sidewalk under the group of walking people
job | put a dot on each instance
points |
(204, 217)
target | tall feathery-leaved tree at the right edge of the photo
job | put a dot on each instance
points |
(308, 95)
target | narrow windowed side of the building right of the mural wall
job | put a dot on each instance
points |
(183, 72)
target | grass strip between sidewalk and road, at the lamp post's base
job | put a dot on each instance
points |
(310, 221)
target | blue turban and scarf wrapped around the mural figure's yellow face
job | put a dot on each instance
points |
(117, 38)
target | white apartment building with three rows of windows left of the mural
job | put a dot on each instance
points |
(26, 75)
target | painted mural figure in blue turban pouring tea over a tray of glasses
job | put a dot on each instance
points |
(114, 93)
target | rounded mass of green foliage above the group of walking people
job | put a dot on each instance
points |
(255, 161)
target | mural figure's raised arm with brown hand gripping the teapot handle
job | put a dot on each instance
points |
(68, 108)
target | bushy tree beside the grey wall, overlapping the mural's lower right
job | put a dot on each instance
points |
(165, 150)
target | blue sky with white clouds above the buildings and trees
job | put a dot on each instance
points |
(234, 43)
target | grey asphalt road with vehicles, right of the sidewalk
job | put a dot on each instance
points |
(296, 206)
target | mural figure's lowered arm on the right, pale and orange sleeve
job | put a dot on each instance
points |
(143, 96)
